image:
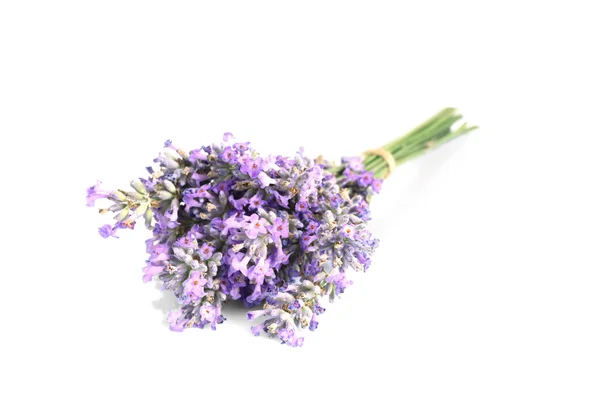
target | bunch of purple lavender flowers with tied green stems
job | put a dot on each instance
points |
(276, 232)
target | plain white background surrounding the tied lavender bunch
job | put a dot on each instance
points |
(485, 285)
